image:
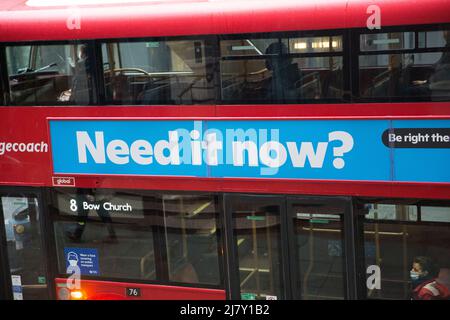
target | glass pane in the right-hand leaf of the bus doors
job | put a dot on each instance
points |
(318, 230)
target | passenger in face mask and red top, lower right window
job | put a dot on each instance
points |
(424, 284)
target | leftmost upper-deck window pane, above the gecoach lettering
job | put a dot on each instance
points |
(51, 75)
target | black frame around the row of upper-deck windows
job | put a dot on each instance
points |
(350, 66)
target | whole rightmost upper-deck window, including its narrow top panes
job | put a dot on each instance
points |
(418, 67)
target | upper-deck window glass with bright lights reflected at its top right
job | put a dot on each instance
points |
(274, 75)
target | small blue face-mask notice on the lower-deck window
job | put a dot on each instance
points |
(85, 258)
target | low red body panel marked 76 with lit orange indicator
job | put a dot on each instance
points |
(109, 290)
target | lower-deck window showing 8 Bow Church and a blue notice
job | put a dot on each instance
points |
(140, 236)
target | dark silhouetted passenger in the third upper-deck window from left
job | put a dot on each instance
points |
(285, 74)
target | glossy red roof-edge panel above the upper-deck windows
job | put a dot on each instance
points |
(178, 18)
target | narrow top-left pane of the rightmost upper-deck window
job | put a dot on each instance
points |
(387, 41)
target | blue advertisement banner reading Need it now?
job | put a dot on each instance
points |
(370, 150)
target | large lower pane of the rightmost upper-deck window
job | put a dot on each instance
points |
(425, 75)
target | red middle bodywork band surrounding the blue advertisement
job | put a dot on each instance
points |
(30, 124)
